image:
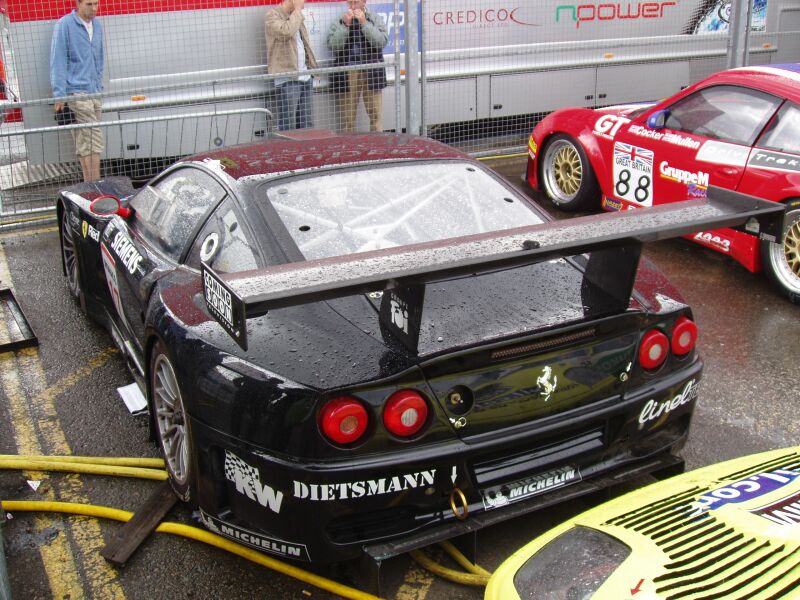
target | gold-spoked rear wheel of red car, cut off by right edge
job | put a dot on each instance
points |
(782, 260)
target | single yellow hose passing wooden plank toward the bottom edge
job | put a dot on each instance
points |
(193, 533)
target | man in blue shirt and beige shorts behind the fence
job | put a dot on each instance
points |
(76, 70)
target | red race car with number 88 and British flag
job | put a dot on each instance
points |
(737, 129)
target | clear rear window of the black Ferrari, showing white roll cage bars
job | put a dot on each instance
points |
(381, 207)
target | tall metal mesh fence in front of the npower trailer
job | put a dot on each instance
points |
(189, 76)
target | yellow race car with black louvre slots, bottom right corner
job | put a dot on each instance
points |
(729, 530)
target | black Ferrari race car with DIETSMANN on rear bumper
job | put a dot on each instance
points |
(371, 342)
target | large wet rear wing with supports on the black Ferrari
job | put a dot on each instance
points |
(613, 240)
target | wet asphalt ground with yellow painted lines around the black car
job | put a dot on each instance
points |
(61, 399)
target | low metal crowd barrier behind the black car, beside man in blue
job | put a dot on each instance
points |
(28, 190)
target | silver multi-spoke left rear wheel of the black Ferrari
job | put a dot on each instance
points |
(172, 424)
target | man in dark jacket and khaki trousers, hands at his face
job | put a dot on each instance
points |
(358, 38)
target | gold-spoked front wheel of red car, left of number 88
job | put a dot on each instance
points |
(566, 174)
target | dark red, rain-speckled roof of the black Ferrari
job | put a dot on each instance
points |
(317, 148)
